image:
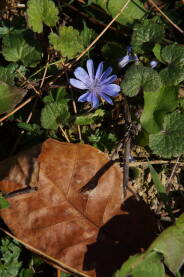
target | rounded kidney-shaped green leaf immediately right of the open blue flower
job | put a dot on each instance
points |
(137, 77)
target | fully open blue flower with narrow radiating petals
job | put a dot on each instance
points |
(98, 85)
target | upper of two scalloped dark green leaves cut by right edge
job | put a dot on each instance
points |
(173, 55)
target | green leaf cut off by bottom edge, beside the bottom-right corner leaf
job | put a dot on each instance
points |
(142, 266)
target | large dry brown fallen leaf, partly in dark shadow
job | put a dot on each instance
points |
(75, 216)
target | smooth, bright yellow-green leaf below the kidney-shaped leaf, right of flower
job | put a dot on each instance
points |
(156, 105)
